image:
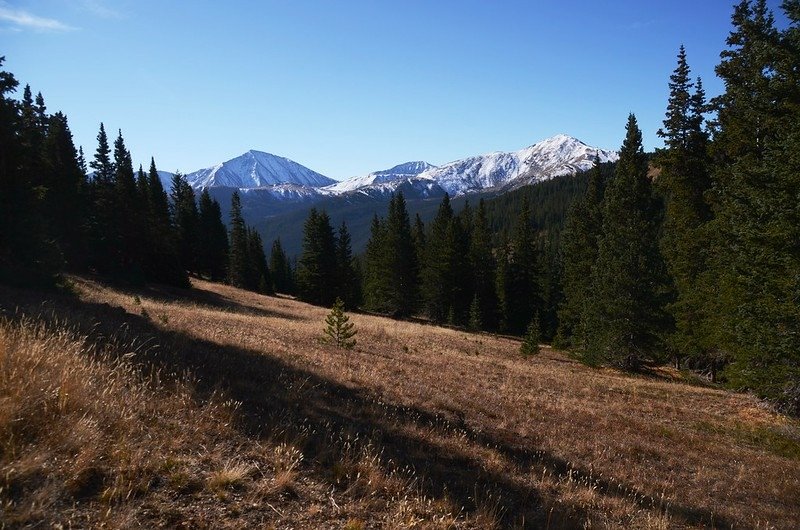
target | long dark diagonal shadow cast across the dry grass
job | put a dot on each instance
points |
(276, 396)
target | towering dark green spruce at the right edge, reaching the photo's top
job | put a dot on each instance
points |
(754, 197)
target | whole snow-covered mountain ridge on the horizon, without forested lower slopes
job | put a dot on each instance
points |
(280, 179)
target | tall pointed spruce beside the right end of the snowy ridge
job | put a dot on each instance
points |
(624, 321)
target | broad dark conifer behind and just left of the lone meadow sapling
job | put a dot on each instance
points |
(316, 271)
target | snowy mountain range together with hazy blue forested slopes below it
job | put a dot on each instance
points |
(276, 192)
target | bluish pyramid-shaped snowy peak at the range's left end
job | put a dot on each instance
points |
(256, 169)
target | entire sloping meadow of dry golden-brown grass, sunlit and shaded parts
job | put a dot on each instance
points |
(218, 408)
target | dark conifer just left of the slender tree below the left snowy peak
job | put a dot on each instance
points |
(213, 252)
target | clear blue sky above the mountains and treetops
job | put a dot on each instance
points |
(347, 87)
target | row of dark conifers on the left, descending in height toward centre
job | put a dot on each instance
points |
(56, 216)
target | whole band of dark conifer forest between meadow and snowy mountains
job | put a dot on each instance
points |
(690, 256)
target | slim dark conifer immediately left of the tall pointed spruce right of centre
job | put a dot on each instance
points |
(579, 244)
